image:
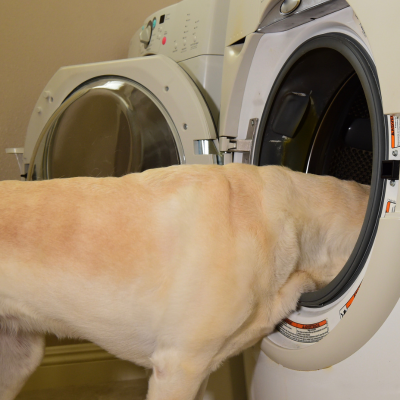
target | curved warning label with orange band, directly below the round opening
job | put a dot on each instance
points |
(304, 333)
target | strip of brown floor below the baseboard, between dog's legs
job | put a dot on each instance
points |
(124, 390)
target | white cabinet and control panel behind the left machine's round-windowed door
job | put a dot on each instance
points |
(192, 33)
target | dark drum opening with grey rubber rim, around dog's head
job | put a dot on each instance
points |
(330, 90)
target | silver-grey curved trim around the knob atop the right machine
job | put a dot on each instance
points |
(308, 10)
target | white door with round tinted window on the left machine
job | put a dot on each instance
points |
(110, 119)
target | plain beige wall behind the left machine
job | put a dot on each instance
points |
(39, 36)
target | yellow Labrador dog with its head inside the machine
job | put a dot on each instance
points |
(175, 269)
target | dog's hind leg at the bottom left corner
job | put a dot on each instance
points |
(20, 354)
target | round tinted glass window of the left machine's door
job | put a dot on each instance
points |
(109, 126)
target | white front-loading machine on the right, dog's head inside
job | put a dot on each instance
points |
(314, 85)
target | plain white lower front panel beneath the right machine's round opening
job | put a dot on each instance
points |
(369, 374)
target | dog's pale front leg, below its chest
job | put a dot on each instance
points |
(177, 376)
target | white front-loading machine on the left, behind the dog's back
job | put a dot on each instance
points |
(158, 107)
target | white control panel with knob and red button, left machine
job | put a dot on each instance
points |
(184, 30)
